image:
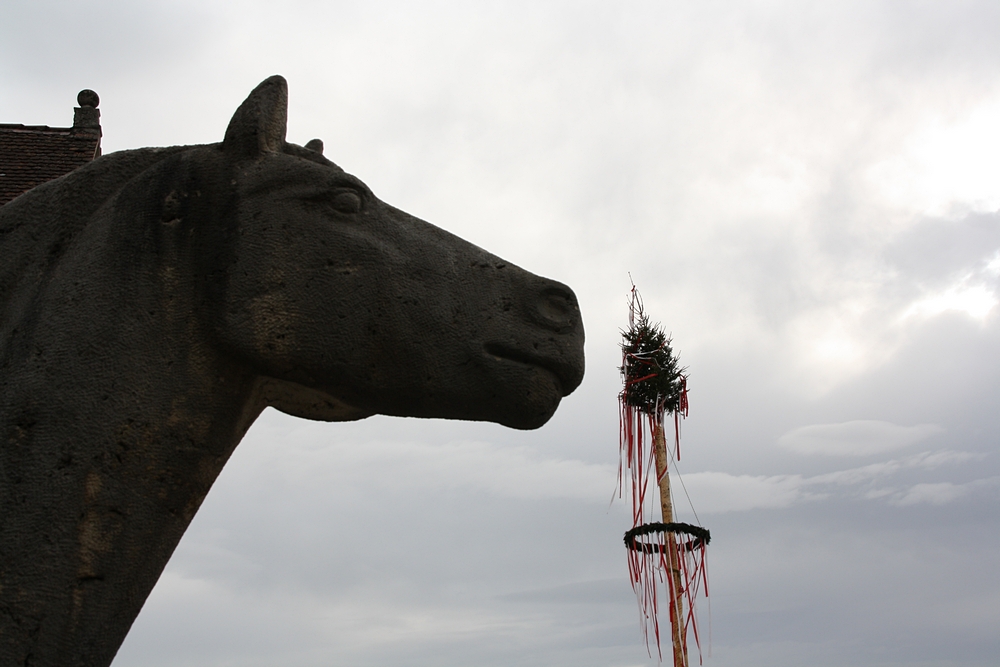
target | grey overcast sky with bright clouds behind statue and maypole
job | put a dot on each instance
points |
(805, 193)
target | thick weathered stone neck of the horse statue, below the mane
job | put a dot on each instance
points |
(117, 413)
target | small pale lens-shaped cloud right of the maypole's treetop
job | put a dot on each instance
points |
(855, 438)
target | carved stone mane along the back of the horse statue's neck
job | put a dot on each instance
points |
(38, 226)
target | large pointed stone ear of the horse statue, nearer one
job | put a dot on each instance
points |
(259, 125)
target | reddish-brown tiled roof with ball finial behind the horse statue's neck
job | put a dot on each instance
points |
(33, 154)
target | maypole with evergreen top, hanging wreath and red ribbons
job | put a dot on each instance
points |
(661, 553)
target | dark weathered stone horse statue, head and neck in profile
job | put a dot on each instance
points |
(155, 301)
